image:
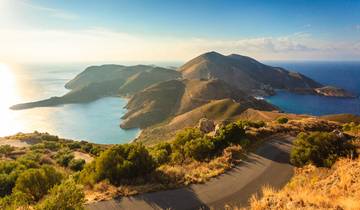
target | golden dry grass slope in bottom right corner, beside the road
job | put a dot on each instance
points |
(316, 188)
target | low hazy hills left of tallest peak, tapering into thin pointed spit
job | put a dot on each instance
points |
(108, 80)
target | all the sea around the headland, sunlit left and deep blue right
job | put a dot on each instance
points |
(99, 121)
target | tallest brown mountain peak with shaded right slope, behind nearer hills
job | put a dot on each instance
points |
(245, 73)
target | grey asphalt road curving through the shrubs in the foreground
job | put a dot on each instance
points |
(269, 165)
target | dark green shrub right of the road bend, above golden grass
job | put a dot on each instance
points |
(320, 149)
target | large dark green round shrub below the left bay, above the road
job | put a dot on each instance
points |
(122, 162)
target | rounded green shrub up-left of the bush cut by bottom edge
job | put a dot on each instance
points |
(37, 182)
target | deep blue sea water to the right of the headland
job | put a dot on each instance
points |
(340, 74)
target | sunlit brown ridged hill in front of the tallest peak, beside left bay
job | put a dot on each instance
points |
(176, 97)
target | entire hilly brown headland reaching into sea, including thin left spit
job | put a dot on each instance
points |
(211, 85)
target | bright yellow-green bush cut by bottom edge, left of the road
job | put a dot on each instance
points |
(66, 196)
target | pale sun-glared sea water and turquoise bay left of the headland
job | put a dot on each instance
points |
(95, 122)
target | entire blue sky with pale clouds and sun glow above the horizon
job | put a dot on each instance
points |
(49, 31)
